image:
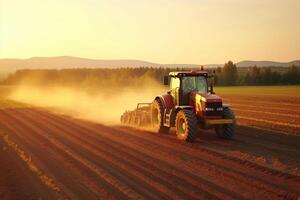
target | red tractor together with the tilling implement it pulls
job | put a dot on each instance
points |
(190, 104)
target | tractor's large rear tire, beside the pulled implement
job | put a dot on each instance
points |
(157, 117)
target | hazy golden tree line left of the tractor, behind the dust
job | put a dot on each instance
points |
(89, 78)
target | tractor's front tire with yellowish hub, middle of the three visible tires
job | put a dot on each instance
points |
(186, 125)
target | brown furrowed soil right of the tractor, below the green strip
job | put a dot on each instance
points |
(274, 112)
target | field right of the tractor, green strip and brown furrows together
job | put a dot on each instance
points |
(272, 107)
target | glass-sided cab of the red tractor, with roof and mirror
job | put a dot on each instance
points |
(183, 83)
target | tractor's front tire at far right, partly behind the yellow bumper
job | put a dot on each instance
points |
(227, 131)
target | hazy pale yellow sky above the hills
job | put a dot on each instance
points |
(163, 31)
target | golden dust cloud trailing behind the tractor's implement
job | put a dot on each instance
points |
(102, 105)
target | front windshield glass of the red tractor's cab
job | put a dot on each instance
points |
(194, 83)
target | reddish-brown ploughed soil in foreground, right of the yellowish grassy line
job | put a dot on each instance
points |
(90, 161)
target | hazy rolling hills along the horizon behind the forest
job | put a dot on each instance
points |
(10, 65)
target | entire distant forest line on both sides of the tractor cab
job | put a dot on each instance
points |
(228, 75)
